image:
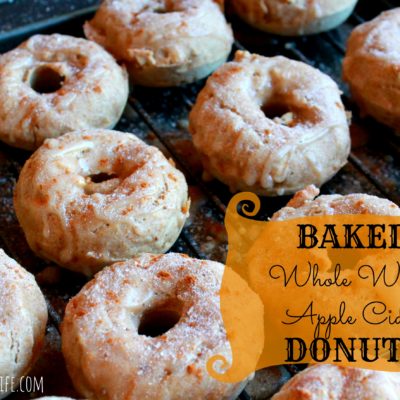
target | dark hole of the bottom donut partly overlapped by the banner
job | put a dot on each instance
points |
(161, 318)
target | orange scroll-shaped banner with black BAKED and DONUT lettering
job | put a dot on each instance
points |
(320, 289)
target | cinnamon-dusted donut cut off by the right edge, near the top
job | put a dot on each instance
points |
(372, 67)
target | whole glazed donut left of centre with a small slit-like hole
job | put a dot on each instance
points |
(91, 198)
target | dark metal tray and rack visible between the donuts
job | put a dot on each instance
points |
(160, 118)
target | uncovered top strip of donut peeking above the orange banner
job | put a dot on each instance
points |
(306, 204)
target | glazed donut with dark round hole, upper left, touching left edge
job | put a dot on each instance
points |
(53, 84)
